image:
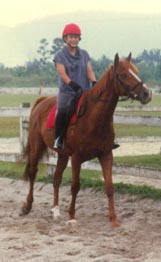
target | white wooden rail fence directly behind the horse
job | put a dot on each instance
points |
(23, 113)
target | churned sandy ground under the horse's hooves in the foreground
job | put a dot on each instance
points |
(38, 238)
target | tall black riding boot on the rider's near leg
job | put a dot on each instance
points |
(59, 130)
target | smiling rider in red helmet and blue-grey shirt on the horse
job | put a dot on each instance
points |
(75, 76)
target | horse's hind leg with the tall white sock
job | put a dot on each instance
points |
(57, 179)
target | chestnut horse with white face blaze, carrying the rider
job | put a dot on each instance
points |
(91, 136)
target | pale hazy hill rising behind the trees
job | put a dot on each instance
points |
(102, 34)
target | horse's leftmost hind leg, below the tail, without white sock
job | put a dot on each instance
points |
(34, 155)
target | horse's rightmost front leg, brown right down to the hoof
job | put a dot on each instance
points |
(106, 163)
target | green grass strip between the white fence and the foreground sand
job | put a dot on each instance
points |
(89, 179)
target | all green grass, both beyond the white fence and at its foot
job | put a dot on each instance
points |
(9, 127)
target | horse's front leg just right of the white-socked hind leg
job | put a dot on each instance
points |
(76, 165)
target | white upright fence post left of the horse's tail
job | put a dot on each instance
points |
(24, 126)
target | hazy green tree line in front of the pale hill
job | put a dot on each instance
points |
(41, 71)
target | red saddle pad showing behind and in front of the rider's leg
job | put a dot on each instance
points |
(80, 110)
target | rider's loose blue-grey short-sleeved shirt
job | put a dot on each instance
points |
(76, 69)
